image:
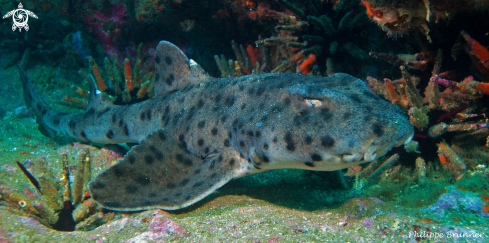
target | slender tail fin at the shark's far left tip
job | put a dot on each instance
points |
(38, 106)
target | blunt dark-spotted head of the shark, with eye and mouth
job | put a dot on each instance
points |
(328, 123)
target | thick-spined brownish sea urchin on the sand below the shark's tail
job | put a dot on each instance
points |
(58, 203)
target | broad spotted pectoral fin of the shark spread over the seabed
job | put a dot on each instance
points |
(159, 173)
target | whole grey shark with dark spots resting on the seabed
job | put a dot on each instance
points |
(198, 132)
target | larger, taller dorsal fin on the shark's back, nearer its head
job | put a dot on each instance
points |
(174, 71)
